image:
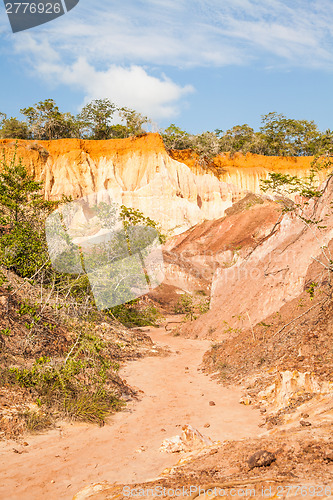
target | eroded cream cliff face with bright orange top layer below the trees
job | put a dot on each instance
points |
(175, 190)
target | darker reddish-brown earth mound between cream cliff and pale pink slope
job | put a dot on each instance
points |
(192, 258)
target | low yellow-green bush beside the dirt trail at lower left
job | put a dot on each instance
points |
(79, 387)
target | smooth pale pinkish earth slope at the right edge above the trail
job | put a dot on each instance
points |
(273, 274)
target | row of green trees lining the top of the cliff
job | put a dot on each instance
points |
(102, 119)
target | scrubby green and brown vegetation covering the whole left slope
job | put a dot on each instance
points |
(56, 350)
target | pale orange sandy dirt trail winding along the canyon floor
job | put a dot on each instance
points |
(59, 463)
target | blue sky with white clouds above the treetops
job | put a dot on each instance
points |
(202, 64)
